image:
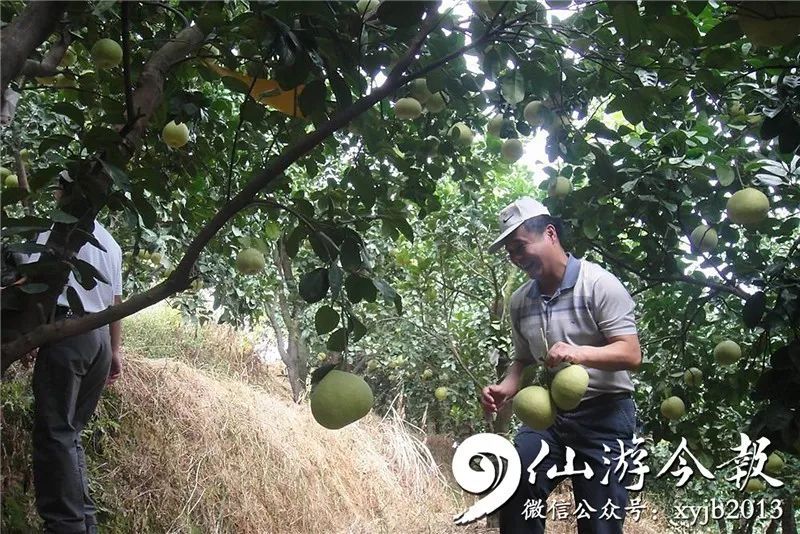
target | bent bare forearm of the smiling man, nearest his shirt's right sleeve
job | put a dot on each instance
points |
(622, 353)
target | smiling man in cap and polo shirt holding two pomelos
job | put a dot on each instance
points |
(570, 311)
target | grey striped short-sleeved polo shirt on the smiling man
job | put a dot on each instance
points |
(590, 306)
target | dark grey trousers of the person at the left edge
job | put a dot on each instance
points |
(68, 379)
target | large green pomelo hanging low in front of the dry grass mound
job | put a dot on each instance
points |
(339, 399)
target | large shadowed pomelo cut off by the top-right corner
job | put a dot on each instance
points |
(769, 23)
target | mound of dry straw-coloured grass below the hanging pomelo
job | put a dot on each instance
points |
(198, 452)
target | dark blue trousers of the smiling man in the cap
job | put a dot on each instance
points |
(586, 430)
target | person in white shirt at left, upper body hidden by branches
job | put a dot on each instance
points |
(68, 379)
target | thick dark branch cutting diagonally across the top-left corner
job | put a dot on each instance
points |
(26, 32)
